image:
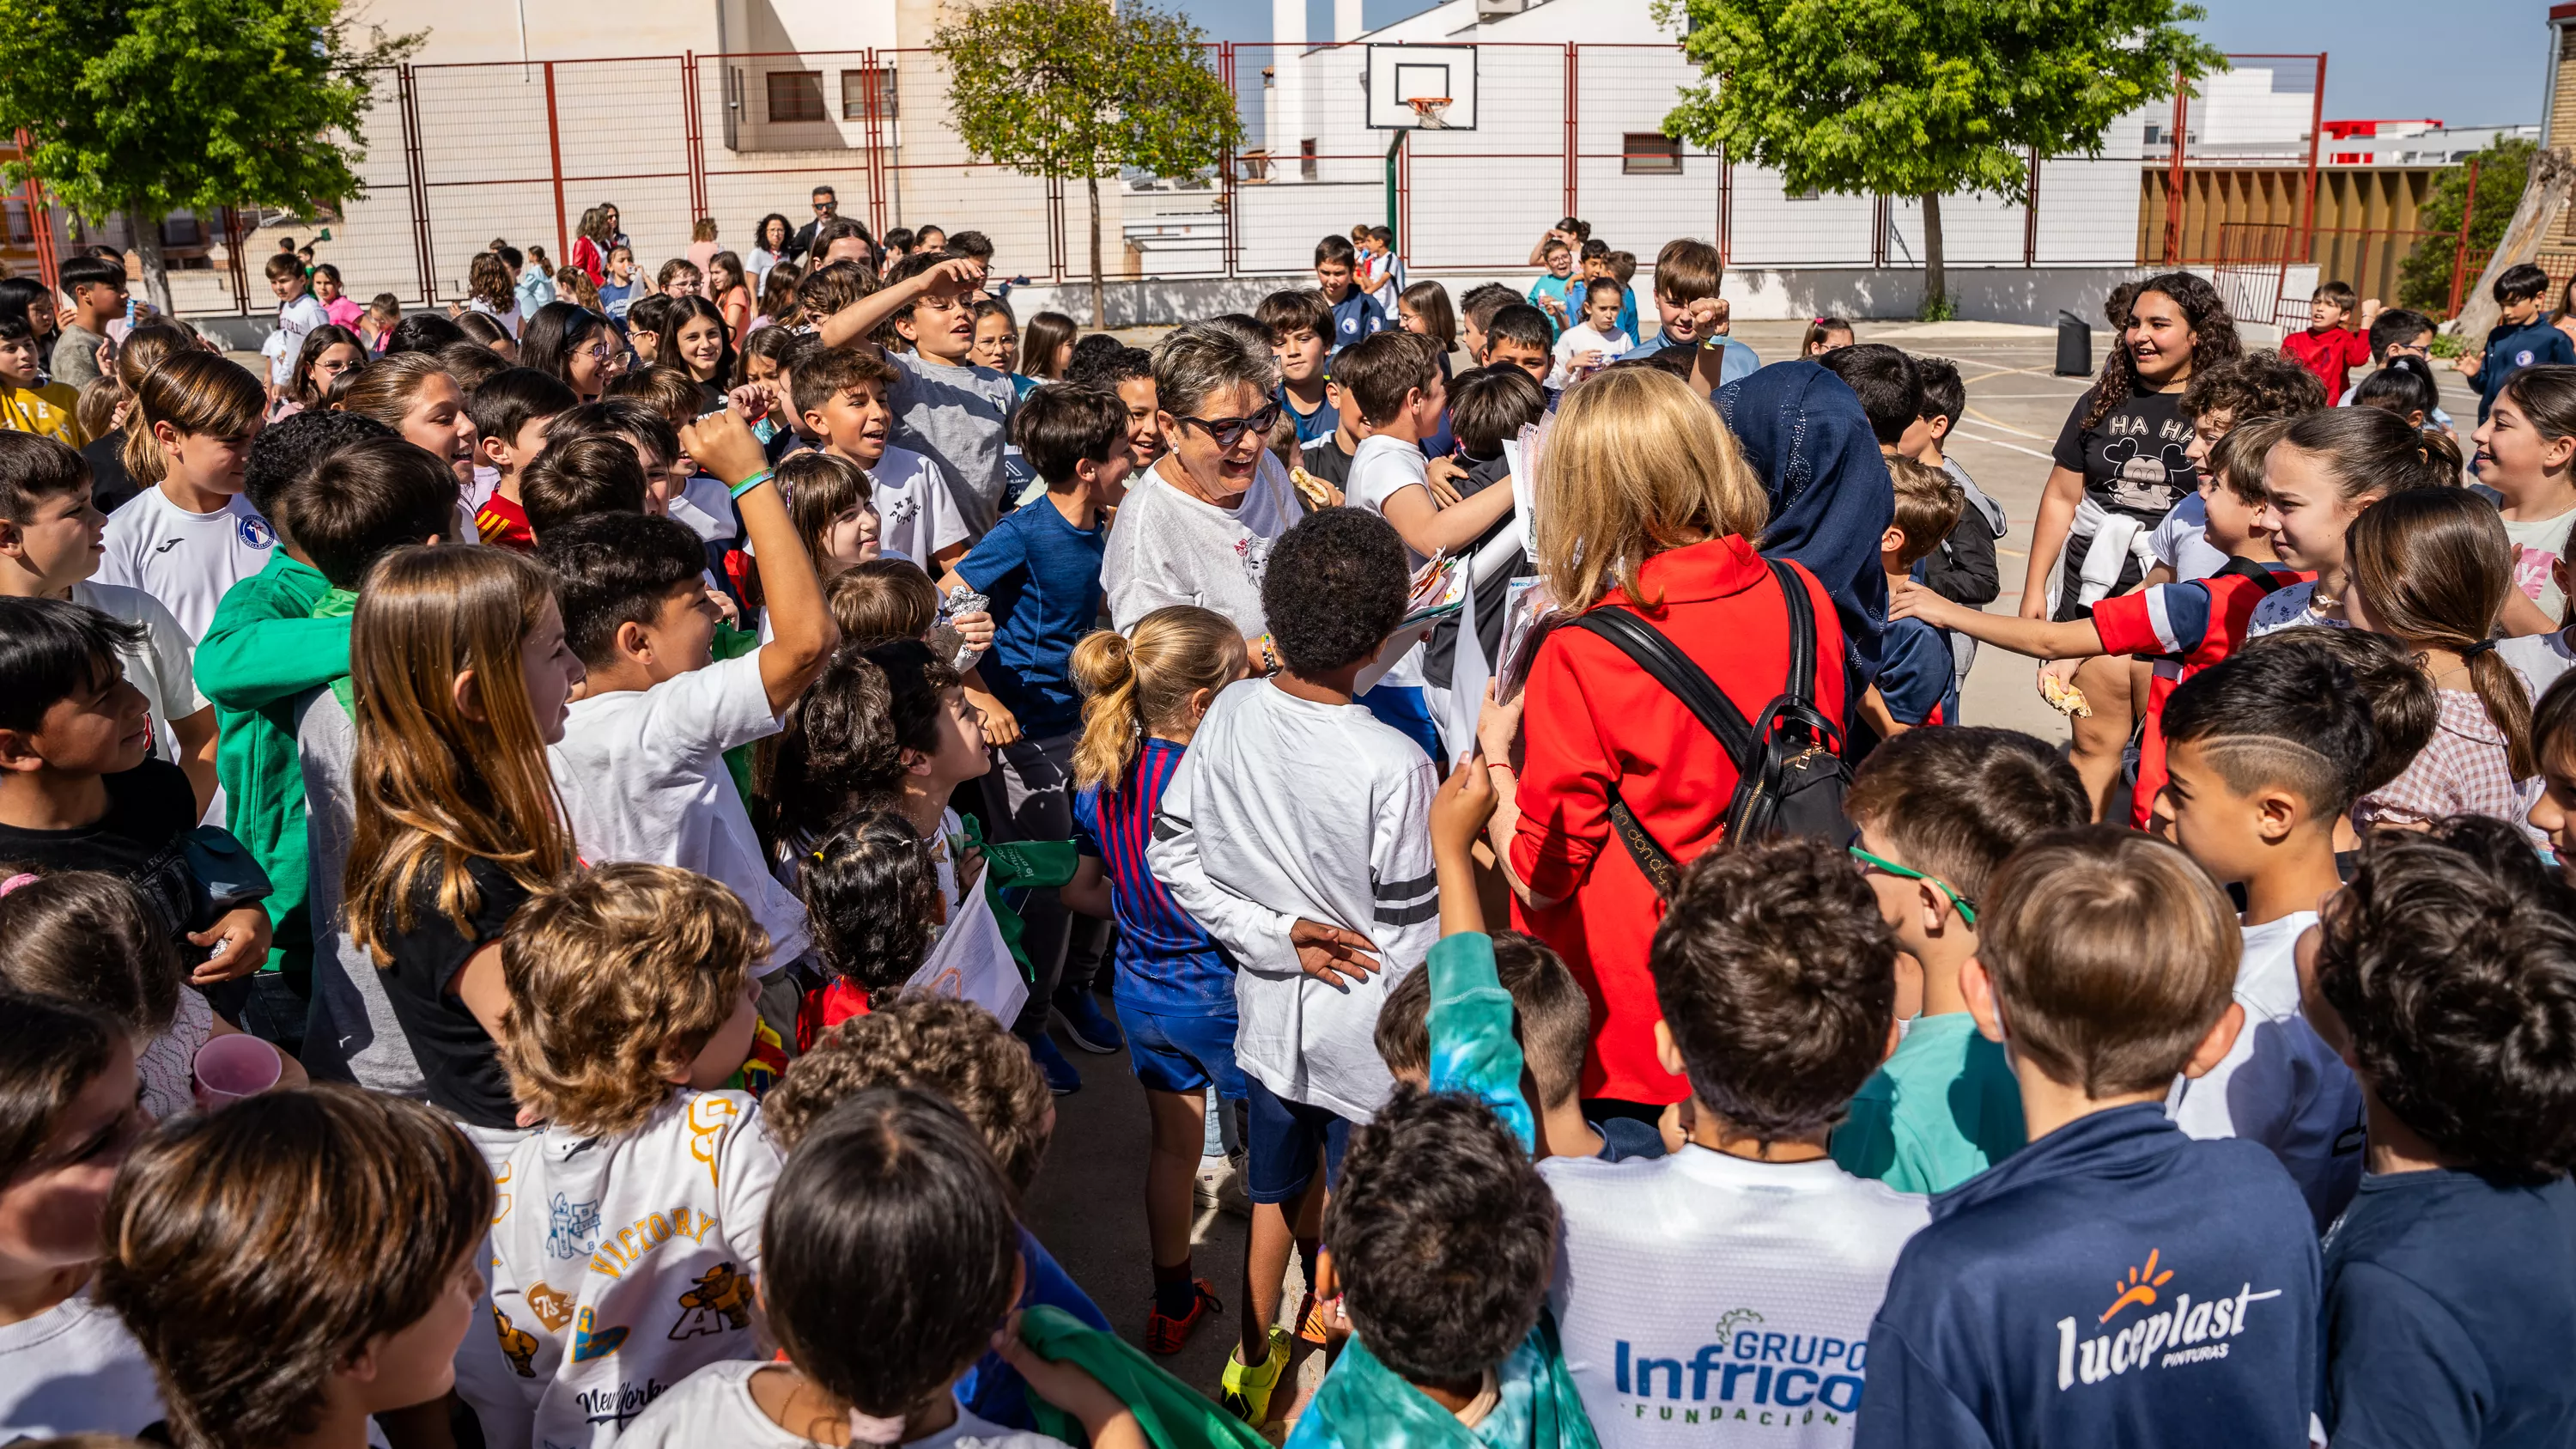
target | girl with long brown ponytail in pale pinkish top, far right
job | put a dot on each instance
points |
(2433, 569)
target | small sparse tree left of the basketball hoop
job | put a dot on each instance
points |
(1073, 89)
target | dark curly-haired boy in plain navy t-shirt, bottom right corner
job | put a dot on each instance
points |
(2451, 1280)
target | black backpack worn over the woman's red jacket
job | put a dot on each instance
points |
(1789, 762)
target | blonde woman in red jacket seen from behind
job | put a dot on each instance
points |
(1645, 504)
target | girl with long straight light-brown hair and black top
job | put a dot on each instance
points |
(460, 682)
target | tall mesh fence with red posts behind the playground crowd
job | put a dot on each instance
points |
(524, 151)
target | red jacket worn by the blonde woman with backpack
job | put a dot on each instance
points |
(1593, 718)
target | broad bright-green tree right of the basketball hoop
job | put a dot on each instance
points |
(1923, 97)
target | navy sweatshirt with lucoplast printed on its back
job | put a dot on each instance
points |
(2111, 1285)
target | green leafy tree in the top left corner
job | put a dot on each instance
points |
(153, 107)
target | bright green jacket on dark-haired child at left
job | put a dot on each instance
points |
(256, 661)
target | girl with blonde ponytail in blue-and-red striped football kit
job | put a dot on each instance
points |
(1145, 697)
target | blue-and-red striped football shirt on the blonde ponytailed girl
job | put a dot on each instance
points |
(1166, 960)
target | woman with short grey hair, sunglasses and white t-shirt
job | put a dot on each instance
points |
(1199, 525)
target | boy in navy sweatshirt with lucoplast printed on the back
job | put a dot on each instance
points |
(2114, 1283)
